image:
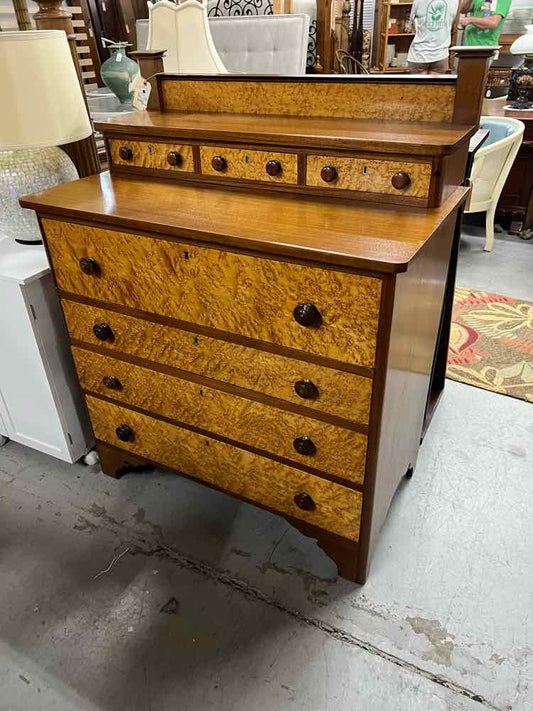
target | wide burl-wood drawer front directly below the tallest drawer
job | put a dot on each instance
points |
(323, 389)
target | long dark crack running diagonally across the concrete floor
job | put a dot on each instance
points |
(253, 593)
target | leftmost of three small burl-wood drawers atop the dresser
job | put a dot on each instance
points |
(147, 154)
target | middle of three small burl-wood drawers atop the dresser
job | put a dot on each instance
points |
(249, 165)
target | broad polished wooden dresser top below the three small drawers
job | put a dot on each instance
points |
(379, 238)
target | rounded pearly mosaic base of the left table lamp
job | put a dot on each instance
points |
(25, 171)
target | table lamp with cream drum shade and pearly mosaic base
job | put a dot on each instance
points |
(42, 108)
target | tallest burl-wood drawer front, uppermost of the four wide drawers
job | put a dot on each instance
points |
(334, 314)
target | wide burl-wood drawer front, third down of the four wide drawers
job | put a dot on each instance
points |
(335, 450)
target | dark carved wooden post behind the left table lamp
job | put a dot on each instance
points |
(52, 16)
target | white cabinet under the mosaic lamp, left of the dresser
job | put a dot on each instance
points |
(41, 404)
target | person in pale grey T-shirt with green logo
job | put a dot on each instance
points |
(432, 22)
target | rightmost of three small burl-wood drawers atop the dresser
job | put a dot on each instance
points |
(370, 176)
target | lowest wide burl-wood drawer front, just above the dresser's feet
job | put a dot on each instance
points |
(330, 506)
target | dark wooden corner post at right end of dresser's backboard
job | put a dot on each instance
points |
(472, 70)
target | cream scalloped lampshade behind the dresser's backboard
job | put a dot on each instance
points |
(183, 30)
